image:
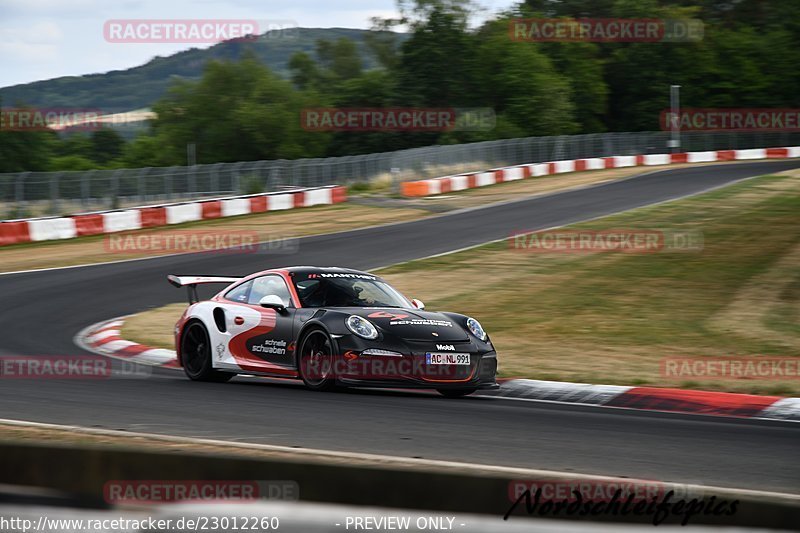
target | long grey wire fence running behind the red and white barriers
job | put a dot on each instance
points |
(39, 193)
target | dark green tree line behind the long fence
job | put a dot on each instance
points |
(239, 110)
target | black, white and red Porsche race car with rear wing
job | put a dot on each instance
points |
(329, 327)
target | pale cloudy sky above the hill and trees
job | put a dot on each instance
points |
(43, 39)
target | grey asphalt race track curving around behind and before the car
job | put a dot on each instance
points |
(42, 311)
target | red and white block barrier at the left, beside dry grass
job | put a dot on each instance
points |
(55, 228)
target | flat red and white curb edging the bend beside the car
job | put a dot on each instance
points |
(105, 338)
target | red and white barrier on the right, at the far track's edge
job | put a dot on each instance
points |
(459, 182)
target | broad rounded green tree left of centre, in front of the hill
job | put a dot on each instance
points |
(238, 111)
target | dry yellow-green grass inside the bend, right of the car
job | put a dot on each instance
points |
(614, 317)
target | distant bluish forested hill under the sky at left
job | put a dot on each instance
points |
(139, 87)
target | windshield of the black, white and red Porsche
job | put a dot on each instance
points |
(315, 290)
